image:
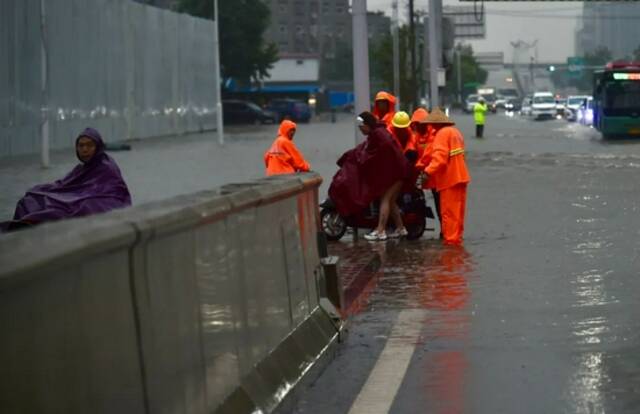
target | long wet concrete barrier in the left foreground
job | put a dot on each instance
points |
(204, 303)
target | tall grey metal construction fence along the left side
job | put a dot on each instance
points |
(129, 70)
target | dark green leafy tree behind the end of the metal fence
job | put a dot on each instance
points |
(244, 55)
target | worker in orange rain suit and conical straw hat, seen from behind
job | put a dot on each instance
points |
(449, 169)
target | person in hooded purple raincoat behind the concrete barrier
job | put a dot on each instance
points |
(94, 186)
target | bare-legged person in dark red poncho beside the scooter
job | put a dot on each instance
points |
(373, 170)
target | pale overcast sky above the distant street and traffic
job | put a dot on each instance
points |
(554, 25)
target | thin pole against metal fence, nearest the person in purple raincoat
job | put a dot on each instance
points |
(44, 88)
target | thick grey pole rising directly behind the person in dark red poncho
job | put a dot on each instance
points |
(360, 60)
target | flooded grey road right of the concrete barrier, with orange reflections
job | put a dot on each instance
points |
(537, 313)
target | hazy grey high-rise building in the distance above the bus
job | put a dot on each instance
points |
(613, 25)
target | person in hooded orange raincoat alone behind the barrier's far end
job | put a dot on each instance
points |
(283, 157)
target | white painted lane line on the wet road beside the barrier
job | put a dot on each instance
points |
(378, 393)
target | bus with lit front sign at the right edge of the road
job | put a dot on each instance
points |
(616, 100)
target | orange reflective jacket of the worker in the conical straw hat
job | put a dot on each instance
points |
(447, 165)
